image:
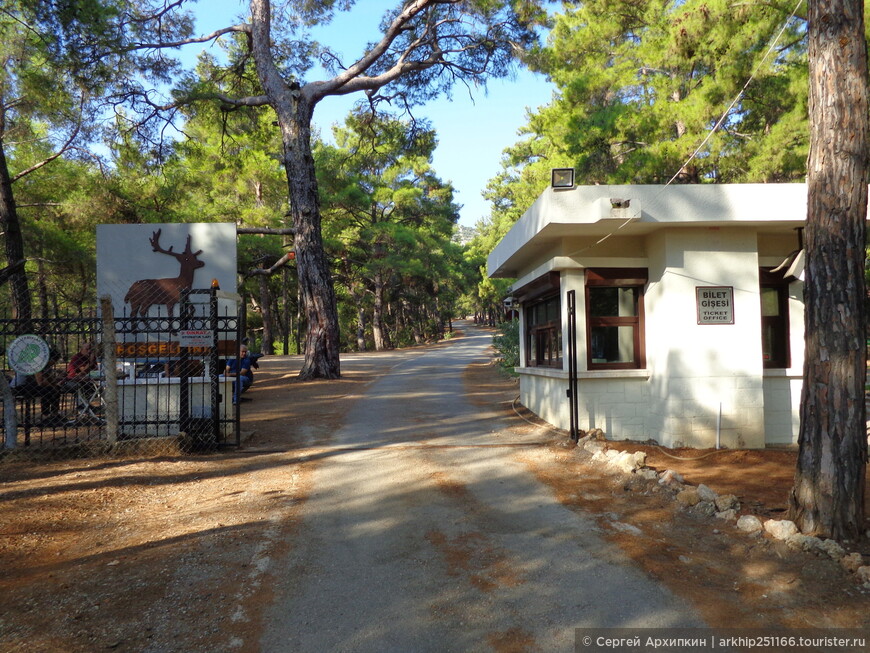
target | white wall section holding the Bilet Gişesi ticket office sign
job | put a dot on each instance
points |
(704, 379)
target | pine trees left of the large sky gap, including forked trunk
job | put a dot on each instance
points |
(86, 138)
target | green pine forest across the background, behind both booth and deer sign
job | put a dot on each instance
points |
(641, 95)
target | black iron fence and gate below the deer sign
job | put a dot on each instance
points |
(100, 381)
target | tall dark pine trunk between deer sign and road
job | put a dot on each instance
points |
(294, 110)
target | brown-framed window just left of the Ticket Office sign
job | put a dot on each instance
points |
(615, 318)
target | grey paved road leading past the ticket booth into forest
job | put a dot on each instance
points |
(412, 540)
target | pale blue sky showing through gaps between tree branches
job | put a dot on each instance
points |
(473, 130)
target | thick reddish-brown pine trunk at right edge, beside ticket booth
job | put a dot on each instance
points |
(828, 494)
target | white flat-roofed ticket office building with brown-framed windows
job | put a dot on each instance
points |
(686, 331)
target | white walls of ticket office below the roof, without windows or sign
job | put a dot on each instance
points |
(703, 383)
